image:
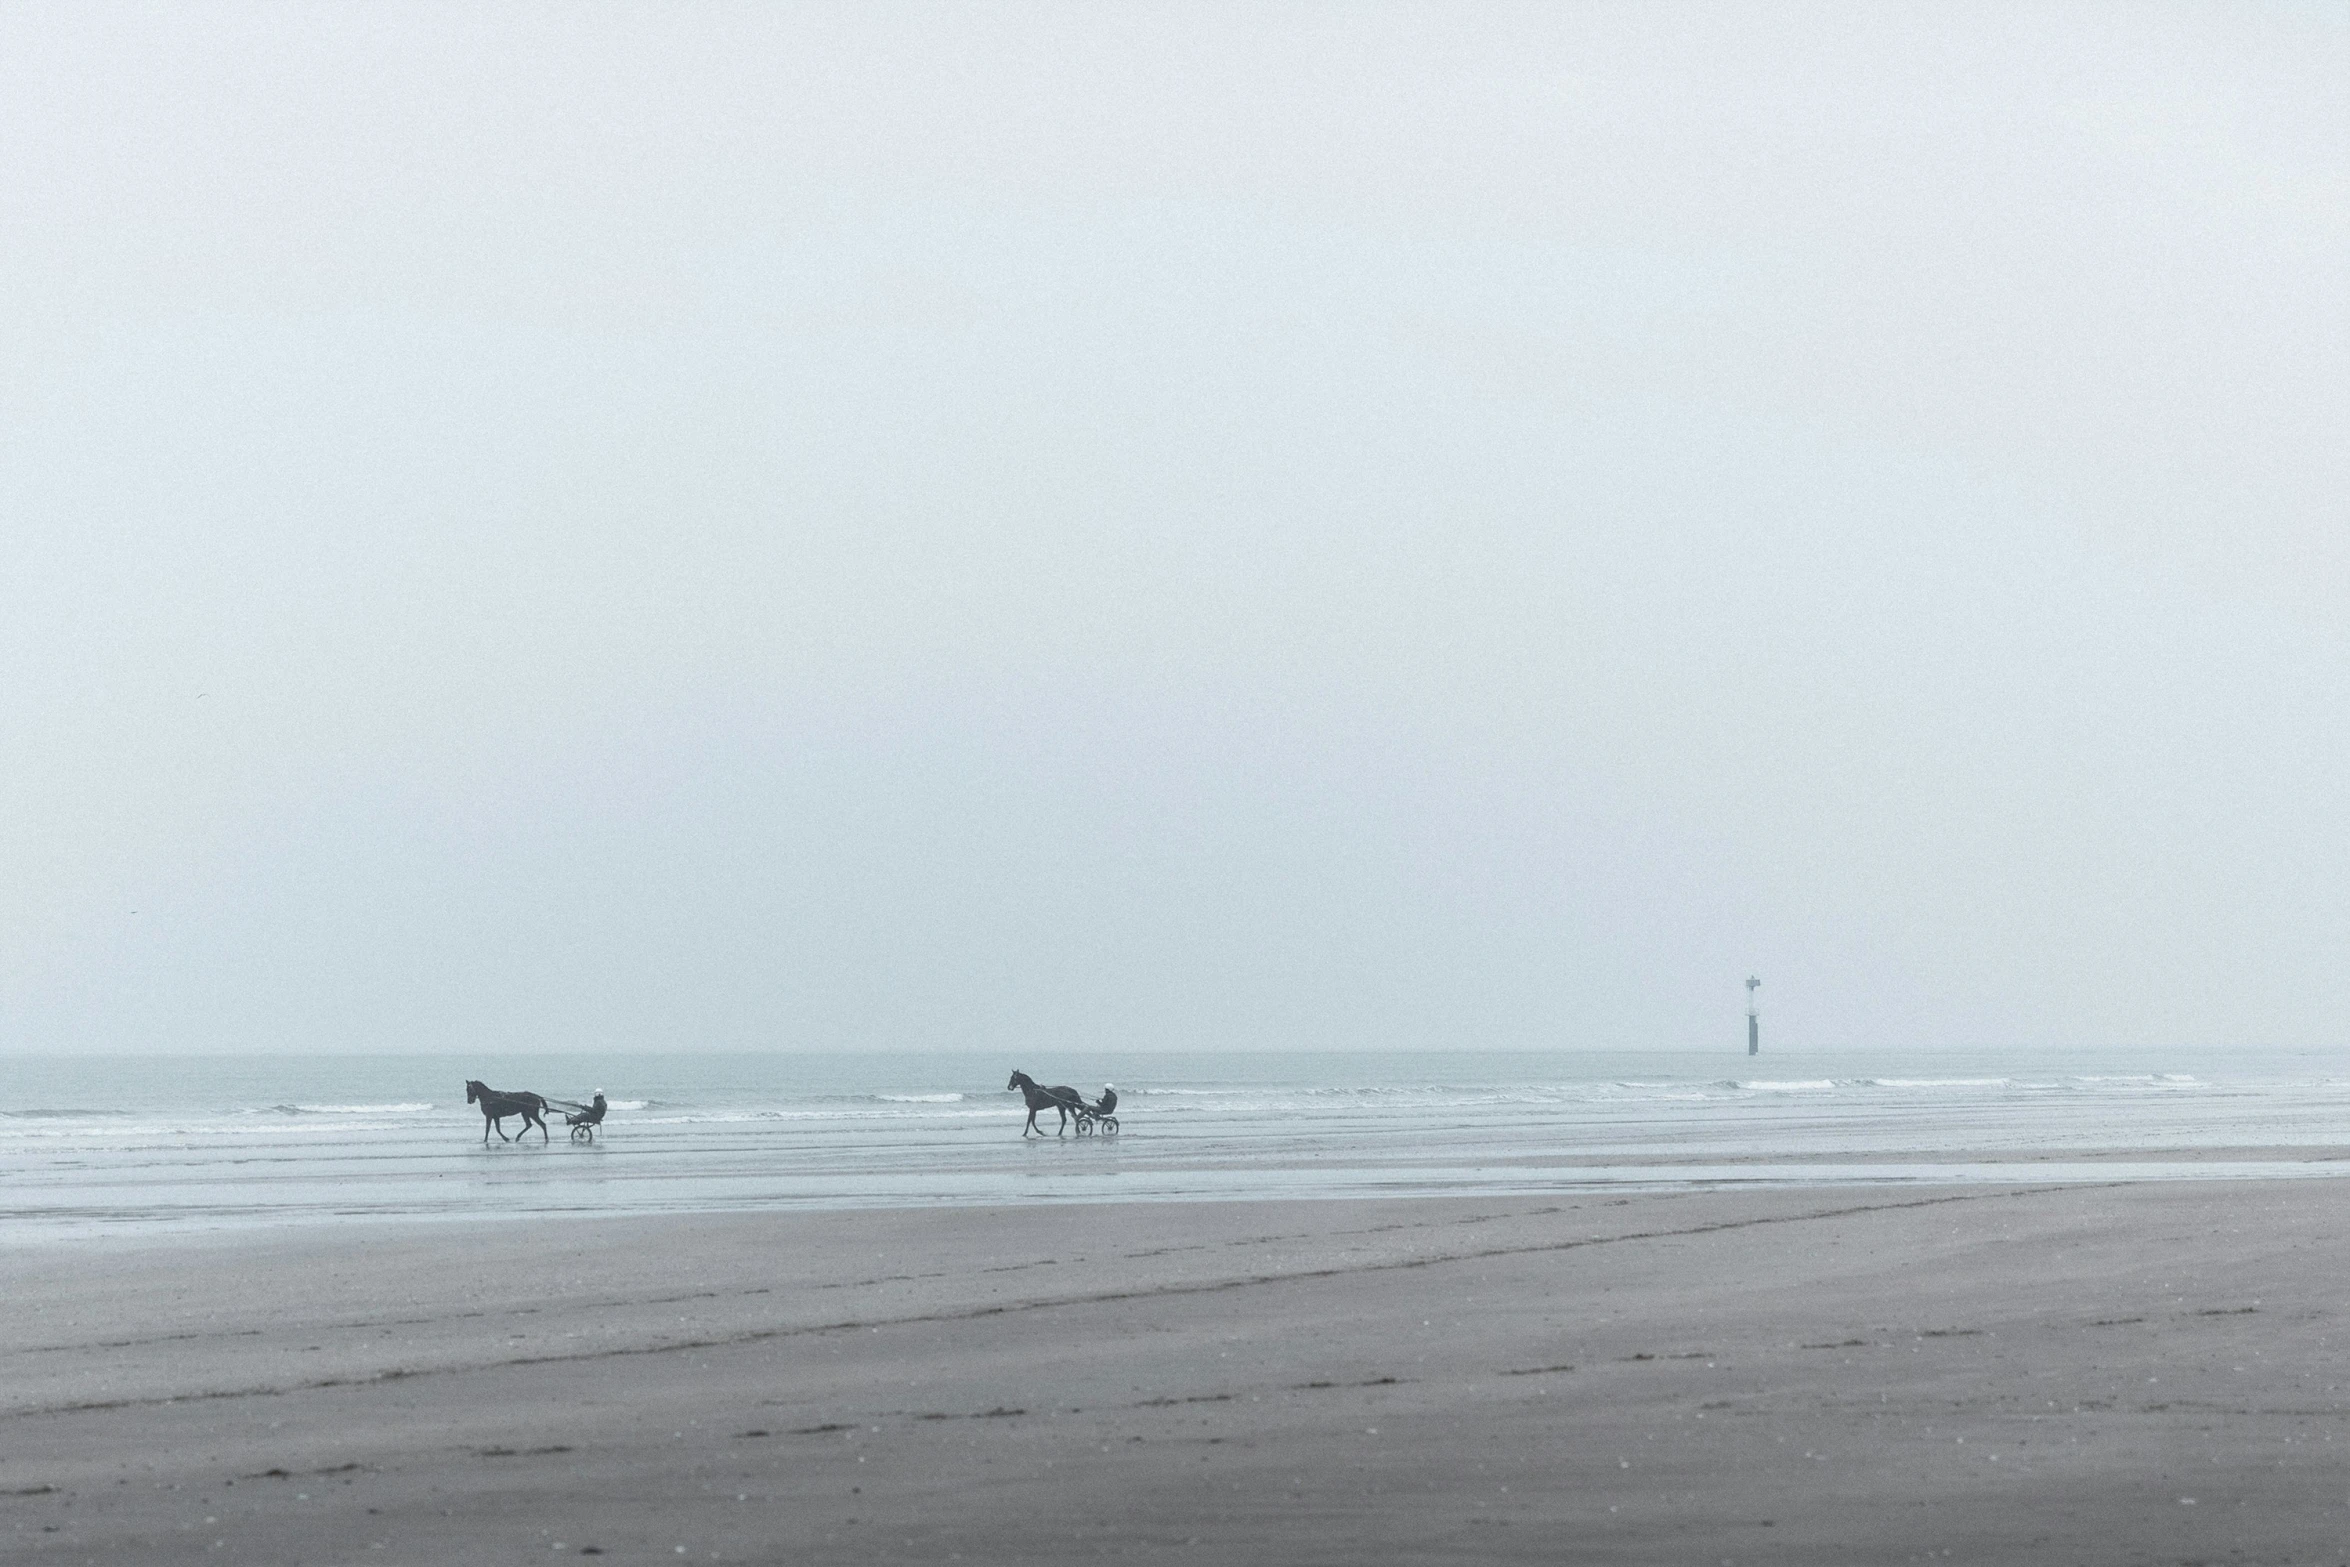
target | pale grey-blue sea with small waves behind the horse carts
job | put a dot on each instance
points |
(159, 1145)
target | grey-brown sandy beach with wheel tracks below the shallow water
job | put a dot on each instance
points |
(2142, 1373)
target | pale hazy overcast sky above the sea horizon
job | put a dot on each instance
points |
(1124, 527)
